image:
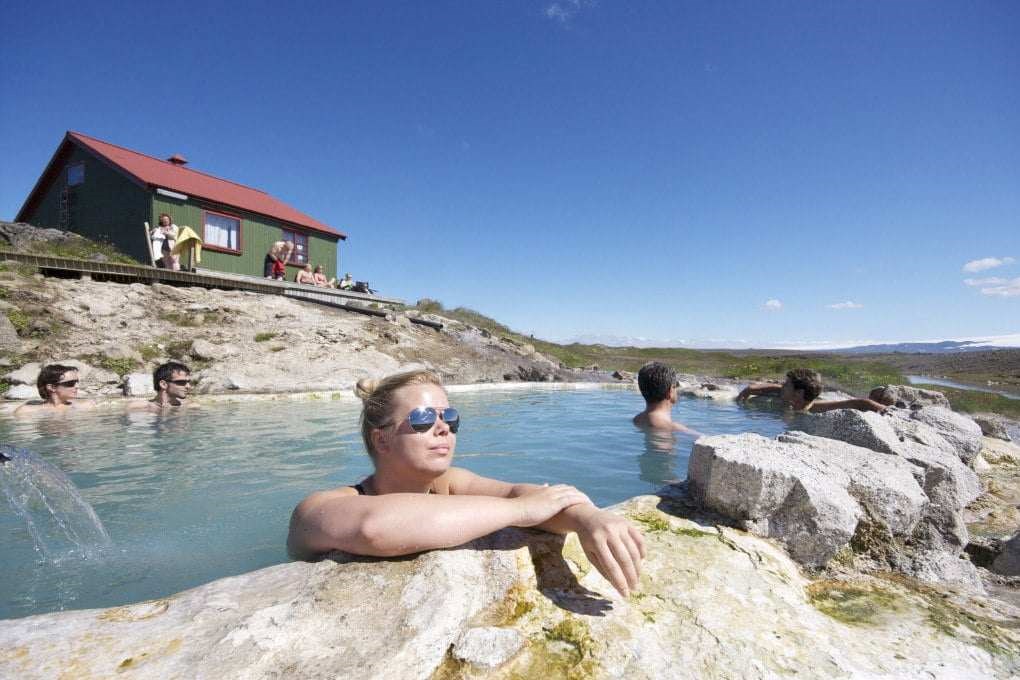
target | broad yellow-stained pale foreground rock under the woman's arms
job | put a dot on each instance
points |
(712, 604)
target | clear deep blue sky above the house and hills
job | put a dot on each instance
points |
(652, 170)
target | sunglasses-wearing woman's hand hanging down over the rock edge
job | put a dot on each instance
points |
(616, 548)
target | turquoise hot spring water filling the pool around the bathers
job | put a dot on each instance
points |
(191, 497)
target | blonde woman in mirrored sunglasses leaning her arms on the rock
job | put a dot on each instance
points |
(416, 501)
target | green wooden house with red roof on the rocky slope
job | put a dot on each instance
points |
(109, 193)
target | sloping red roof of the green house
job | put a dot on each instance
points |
(164, 174)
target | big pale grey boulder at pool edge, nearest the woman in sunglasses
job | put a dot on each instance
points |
(808, 492)
